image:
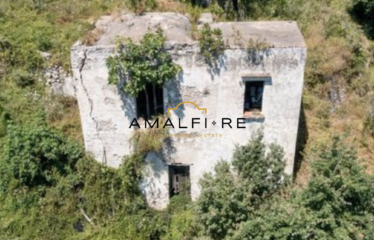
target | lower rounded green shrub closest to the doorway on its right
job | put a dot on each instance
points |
(223, 202)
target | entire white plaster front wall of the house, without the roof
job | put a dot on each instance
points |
(106, 112)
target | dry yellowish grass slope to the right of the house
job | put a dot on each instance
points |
(339, 72)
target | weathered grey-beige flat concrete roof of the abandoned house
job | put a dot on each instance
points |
(177, 27)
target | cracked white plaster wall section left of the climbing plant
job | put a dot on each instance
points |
(104, 111)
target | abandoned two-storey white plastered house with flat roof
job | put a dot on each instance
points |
(262, 88)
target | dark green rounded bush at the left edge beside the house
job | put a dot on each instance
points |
(36, 155)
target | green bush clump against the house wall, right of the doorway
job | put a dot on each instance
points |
(231, 197)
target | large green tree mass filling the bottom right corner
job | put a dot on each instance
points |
(336, 204)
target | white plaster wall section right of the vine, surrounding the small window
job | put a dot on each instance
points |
(225, 98)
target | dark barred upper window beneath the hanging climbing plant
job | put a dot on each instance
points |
(150, 102)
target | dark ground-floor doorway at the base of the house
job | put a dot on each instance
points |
(179, 180)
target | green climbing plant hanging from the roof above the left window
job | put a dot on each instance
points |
(146, 63)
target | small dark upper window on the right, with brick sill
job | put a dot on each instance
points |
(253, 96)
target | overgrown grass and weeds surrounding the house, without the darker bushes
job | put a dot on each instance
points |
(94, 197)
